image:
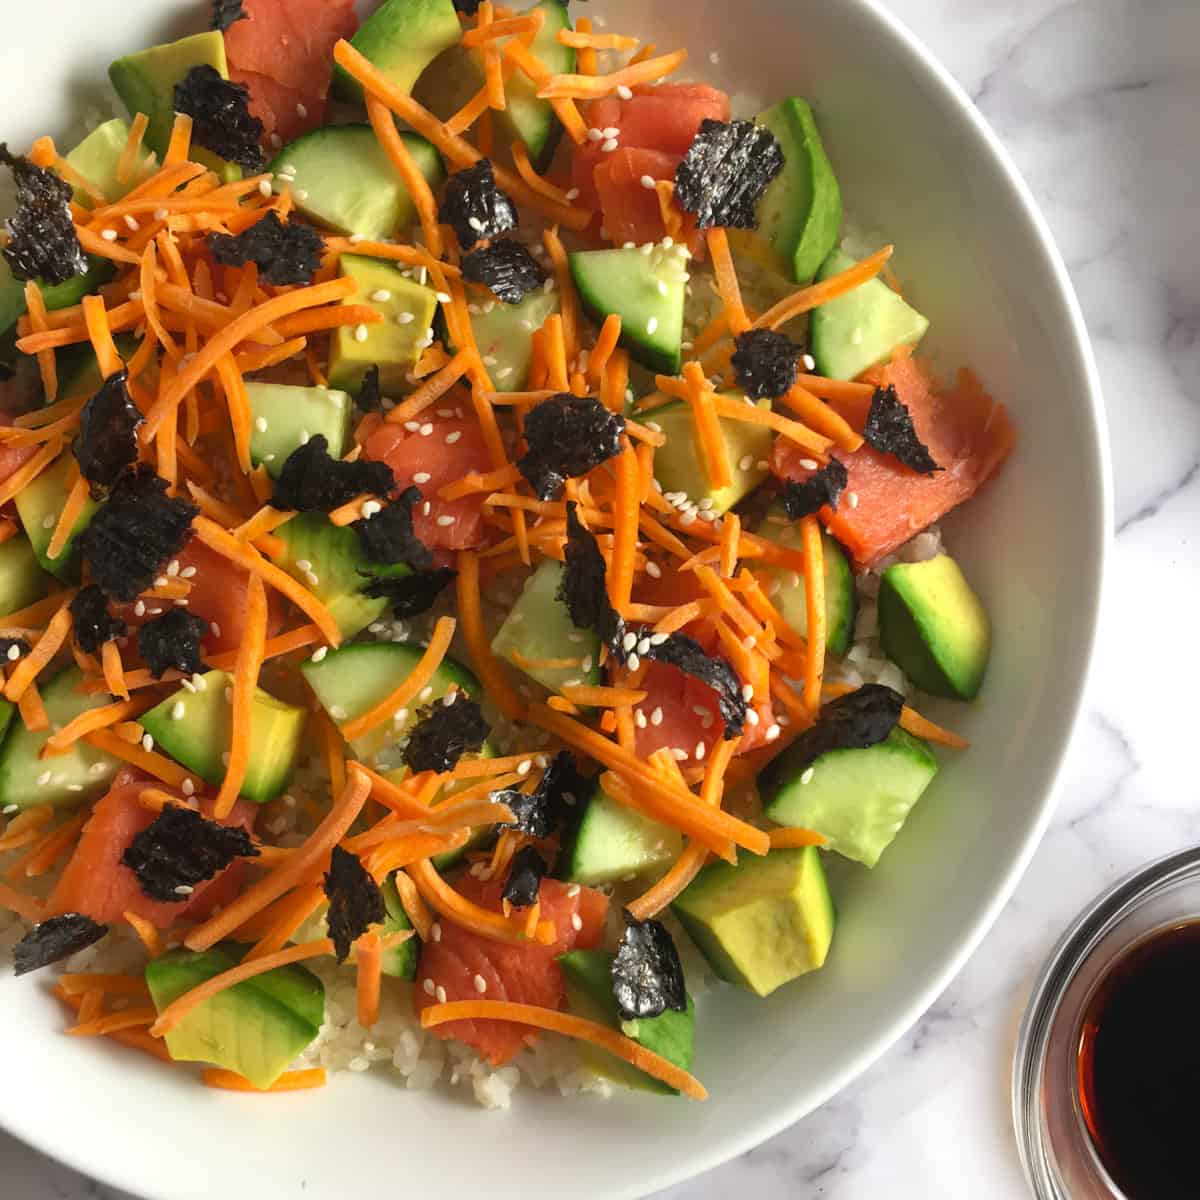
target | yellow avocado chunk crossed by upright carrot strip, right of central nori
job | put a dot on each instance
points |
(680, 465)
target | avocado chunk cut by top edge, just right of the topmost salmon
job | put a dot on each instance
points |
(401, 39)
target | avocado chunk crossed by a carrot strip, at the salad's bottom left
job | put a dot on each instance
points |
(256, 1029)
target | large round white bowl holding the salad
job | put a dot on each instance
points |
(915, 160)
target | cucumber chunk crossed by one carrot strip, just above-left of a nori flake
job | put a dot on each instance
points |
(353, 680)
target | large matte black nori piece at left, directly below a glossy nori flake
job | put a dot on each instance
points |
(134, 533)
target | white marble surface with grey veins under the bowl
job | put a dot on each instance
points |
(1099, 103)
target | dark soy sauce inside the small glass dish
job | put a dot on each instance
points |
(1139, 1067)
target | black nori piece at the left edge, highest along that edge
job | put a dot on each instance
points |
(43, 241)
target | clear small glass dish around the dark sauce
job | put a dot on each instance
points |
(1058, 1153)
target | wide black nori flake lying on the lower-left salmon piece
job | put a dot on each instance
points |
(181, 849)
